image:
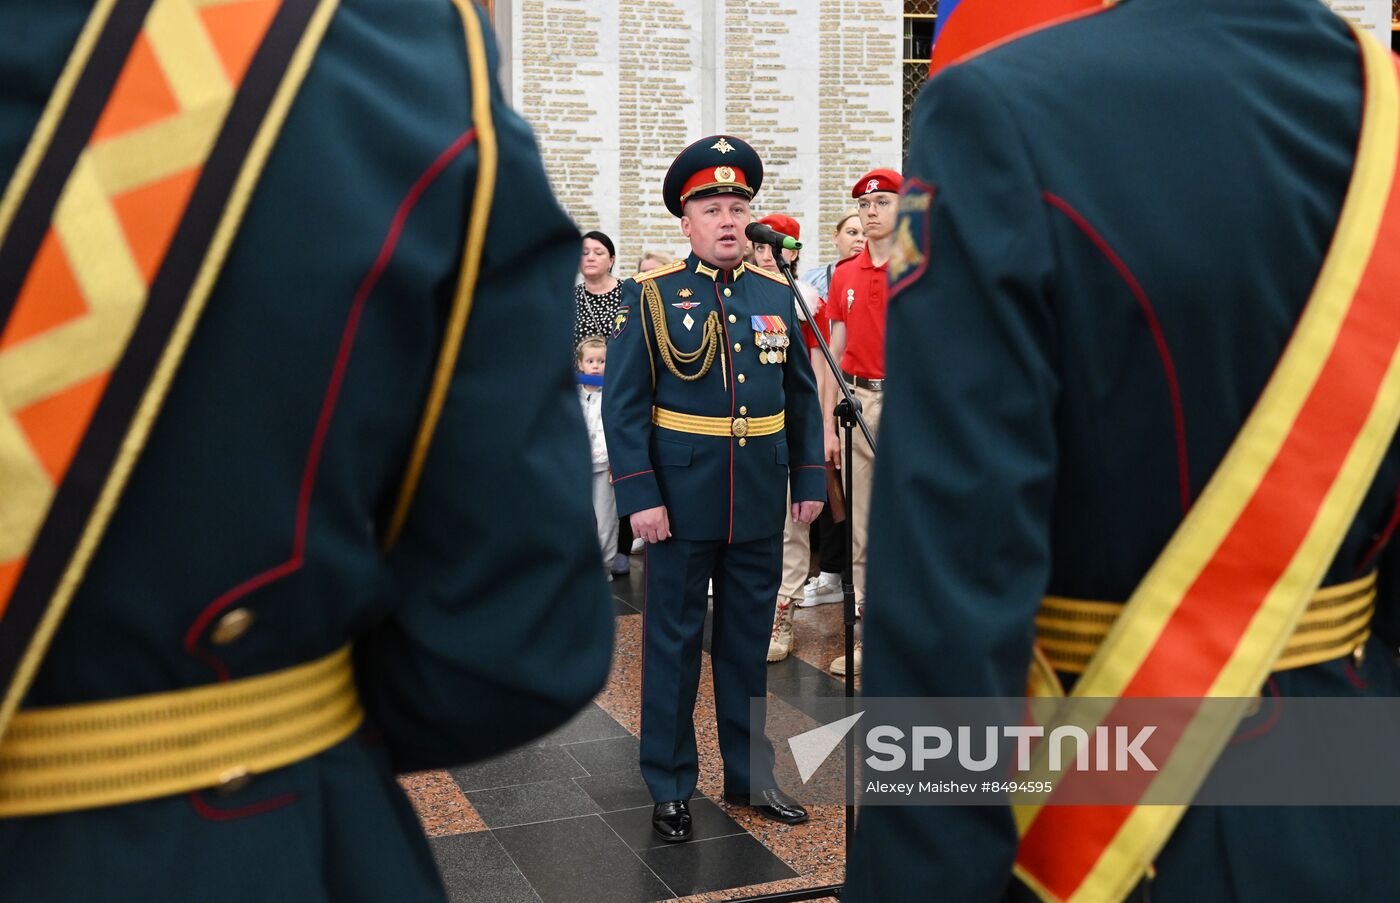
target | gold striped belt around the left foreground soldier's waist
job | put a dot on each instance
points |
(145, 747)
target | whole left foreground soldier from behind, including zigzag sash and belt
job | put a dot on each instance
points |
(303, 552)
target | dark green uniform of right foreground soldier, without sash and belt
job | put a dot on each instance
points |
(1111, 230)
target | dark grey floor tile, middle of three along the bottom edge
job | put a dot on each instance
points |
(580, 862)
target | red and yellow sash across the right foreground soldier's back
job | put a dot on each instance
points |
(1220, 604)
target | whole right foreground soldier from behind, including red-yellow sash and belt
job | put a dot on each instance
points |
(1121, 401)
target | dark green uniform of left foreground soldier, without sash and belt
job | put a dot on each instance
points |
(251, 535)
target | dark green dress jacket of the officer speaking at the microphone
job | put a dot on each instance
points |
(713, 486)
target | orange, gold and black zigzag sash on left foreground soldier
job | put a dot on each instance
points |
(113, 233)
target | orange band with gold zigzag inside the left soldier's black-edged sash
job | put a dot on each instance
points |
(108, 236)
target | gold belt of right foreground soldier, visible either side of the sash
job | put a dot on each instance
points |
(1338, 622)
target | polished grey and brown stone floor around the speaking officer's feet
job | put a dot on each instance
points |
(569, 817)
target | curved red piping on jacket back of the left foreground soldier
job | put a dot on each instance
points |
(328, 405)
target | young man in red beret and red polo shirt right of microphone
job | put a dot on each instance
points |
(856, 307)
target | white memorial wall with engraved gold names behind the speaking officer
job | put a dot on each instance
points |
(617, 89)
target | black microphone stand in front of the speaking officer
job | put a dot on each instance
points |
(849, 416)
